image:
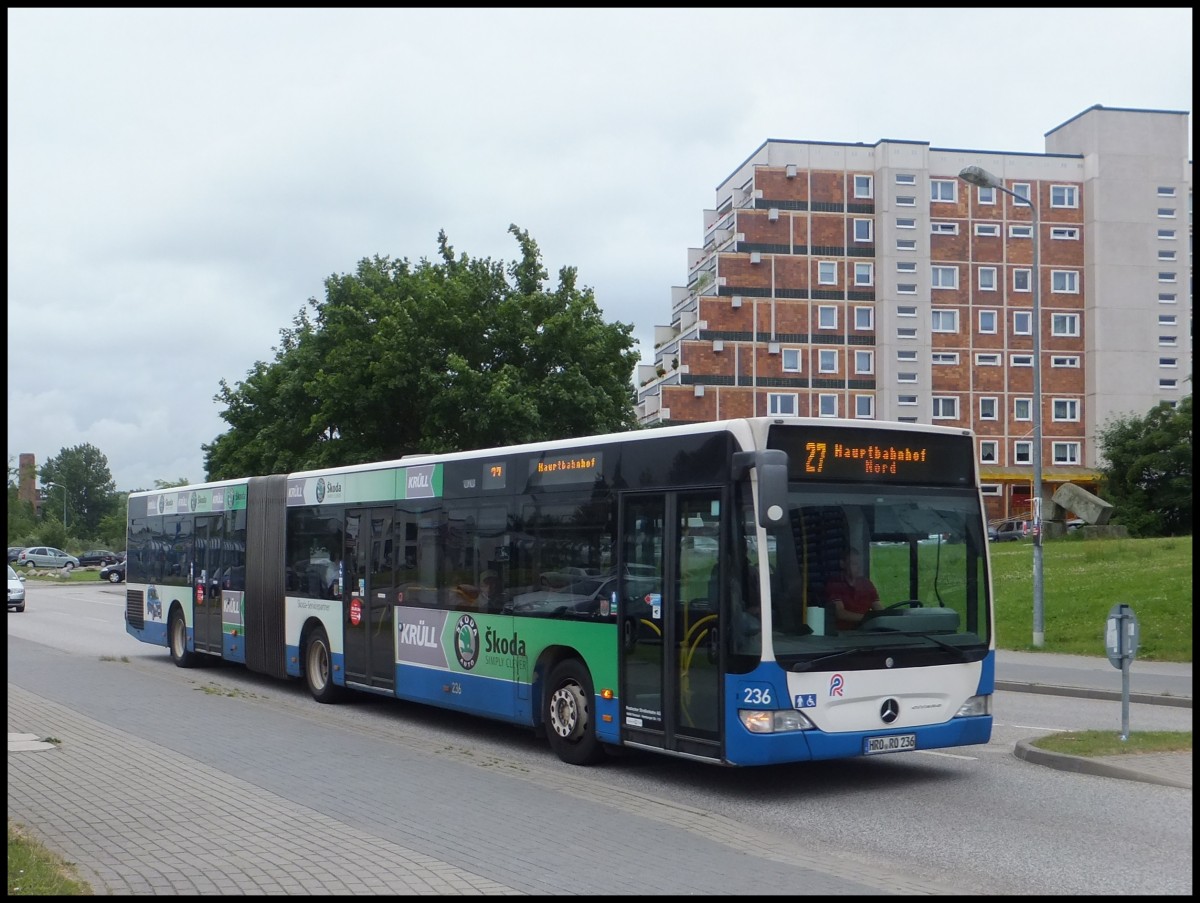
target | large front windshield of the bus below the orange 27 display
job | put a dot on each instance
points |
(868, 569)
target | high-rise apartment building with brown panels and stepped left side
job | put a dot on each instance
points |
(873, 283)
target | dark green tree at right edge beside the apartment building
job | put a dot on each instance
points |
(1148, 473)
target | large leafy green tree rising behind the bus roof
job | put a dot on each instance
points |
(441, 356)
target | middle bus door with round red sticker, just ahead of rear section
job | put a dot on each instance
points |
(369, 599)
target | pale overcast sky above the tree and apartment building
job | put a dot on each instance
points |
(181, 183)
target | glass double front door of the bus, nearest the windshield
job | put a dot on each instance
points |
(671, 679)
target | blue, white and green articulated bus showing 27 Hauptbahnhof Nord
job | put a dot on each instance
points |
(681, 590)
